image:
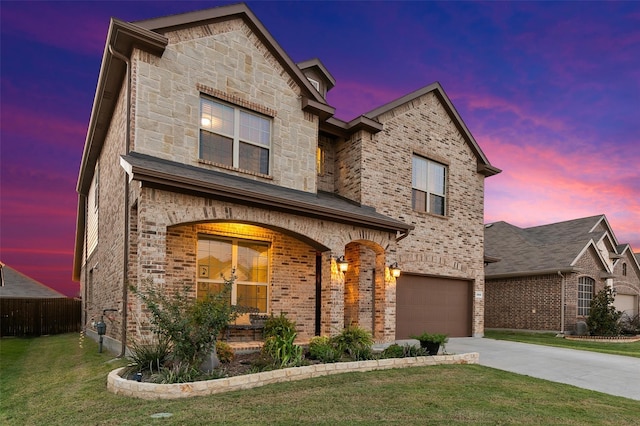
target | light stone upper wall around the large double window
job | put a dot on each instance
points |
(227, 60)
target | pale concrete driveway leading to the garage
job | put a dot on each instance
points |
(612, 374)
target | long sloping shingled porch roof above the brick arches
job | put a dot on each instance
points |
(184, 178)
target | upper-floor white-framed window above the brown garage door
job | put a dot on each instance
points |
(429, 181)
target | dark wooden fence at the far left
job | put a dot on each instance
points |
(39, 317)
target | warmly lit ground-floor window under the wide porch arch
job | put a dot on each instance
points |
(249, 259)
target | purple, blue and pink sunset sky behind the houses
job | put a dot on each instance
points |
(551, 92)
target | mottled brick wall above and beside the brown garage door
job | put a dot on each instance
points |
(453, 245)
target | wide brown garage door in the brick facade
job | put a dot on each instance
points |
(435, 305)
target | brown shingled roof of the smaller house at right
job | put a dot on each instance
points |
(543, 249)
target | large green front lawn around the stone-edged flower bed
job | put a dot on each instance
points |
(54, 381)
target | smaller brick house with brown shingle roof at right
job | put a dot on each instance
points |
(545, 276)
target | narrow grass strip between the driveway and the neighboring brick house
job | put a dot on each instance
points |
(550, 339)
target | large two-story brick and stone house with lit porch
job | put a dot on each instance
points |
(210, 150)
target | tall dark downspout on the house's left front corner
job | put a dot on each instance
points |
(125, 259)
